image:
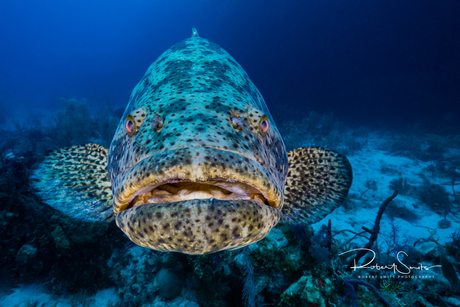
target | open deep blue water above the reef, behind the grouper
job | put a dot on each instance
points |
(392, 63)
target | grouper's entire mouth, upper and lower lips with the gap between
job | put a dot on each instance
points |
(196, 201)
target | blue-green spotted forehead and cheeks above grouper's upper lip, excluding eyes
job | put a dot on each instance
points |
(197, 87)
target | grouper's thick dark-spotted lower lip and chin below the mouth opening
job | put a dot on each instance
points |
(198, 226)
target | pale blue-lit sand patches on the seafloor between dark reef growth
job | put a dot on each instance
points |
(367, 165)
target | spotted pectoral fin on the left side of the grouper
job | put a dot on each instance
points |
(74, 181)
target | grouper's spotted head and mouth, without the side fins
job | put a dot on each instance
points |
(197, 163)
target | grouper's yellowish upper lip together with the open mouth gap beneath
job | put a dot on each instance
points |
(195, 173)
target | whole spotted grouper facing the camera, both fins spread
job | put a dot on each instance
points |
(197, 164)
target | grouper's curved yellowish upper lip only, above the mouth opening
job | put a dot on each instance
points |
(159, 168)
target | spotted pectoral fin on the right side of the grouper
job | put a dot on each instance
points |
(318, 182)
